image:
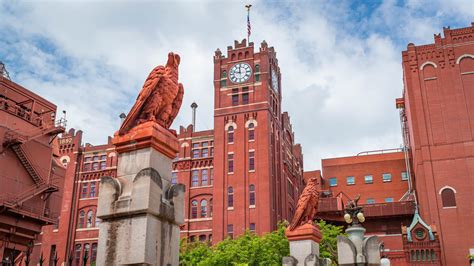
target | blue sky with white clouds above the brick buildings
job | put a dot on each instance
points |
(340, 60)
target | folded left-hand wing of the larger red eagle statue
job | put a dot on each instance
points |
(150, 84)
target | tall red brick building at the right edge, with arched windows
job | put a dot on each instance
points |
(437, 110)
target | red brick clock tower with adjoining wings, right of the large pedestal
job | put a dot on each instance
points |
(246, 173)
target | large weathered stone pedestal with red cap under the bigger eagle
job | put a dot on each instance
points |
(140, 209)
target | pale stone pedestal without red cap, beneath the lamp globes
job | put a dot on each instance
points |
(355, 249)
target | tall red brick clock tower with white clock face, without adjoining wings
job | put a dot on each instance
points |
(249, 188)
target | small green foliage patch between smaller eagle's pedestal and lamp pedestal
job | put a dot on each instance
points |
(328, 245)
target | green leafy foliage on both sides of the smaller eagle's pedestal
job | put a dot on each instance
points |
(250, 249)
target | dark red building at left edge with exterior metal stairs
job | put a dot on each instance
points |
(31, 174)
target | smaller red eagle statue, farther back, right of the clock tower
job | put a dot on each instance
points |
(307, 206)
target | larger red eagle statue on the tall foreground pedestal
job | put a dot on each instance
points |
(160, 98)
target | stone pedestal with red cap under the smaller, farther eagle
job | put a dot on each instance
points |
(304, 246)
